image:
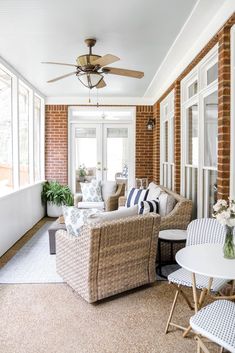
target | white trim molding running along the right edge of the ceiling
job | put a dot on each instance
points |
(161, 82)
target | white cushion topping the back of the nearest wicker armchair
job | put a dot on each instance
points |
(113, 215)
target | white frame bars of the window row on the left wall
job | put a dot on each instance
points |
(16, 78)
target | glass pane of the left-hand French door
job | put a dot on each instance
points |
(85, 155)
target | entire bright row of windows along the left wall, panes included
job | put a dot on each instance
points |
(21, 118)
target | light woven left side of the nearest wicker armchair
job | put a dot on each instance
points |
(73, 263)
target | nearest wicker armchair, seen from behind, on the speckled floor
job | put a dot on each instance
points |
(109, 258)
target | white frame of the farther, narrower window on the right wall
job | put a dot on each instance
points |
(167, 168)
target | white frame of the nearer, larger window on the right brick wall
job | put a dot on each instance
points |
(203, 91)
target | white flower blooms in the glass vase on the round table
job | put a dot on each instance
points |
(224, 212)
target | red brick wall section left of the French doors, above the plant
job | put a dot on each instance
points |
(56, 143)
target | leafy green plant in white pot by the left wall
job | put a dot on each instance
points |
(55, 196)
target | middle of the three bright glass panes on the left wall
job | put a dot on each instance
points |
(23, 135)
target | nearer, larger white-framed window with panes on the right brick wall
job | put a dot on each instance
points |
(200, 135)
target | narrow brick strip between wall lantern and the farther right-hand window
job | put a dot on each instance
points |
(156, 143)
